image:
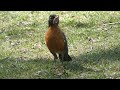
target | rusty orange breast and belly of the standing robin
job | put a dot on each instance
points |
(54, 39)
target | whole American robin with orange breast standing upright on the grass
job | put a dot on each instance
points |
(56, 40)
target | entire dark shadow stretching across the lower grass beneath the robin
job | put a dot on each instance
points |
(47, 68)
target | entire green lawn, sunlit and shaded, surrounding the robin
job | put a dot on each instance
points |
(94, 45)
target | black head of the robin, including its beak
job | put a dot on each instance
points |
(53, 20)
